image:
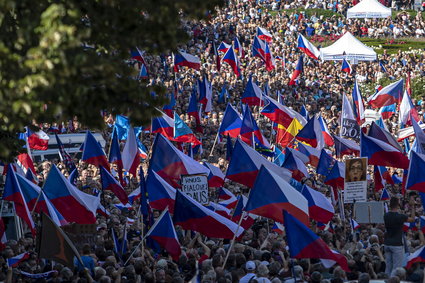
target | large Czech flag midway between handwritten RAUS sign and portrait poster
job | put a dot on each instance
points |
(271, 194)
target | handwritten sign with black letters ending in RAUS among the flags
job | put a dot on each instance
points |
(196, 186)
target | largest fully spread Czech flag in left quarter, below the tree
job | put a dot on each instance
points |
(74, 205)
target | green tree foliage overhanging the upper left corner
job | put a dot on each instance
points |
(43, 62)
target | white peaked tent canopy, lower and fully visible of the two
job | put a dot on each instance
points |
(349, 48)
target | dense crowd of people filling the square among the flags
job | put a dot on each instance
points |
(373, 251)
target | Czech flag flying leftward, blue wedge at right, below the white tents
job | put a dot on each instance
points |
(388, 95)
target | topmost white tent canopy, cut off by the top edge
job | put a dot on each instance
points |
(369, 9)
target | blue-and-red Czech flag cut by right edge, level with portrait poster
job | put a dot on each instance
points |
(415, 177)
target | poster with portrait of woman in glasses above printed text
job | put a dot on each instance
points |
(355, 183)
